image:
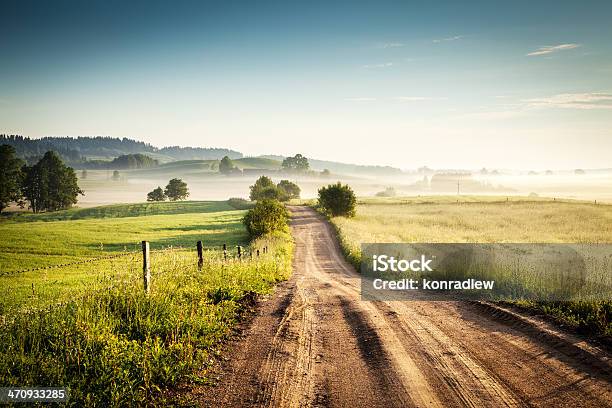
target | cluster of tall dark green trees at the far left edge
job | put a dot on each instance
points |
(48, 185)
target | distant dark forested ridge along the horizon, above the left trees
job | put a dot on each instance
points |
(78, 151)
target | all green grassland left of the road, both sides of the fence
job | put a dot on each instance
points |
(90, 326)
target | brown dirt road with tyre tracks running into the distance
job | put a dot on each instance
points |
(316, 343)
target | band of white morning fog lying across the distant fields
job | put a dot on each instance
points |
(133, 186)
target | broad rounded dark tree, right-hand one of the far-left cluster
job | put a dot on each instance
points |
(50, 185)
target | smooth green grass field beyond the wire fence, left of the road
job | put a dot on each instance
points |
(36, 240)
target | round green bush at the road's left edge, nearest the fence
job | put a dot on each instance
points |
(267, 216)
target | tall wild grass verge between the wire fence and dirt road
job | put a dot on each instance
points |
(119, 346)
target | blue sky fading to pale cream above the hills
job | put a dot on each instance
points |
(445, 84)
